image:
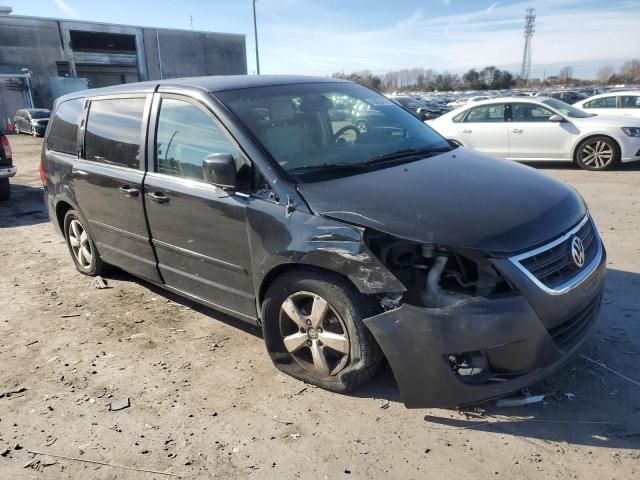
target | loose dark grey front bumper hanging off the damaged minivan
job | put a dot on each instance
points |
(517, 334)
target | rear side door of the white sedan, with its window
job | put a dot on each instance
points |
(484, 129)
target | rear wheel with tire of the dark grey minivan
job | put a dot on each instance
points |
(81, 246)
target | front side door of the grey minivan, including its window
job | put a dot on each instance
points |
(199, 231)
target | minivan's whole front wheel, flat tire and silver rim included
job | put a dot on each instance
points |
(313, 330)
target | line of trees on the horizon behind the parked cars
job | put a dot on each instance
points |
(487, 78)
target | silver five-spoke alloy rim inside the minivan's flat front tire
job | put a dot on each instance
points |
(314, 333)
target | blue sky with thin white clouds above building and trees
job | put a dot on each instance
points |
(323, 36)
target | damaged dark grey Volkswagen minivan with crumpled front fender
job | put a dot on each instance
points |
(260, 197)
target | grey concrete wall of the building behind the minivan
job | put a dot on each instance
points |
(37, 44)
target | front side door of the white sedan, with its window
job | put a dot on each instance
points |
(533, 137)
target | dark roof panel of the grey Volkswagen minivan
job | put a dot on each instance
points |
(216, 83)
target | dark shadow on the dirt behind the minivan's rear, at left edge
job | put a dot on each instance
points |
(24, 207)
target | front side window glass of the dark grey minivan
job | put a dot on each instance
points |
(186, 134)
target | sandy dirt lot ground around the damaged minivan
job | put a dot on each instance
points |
(206, 402)
